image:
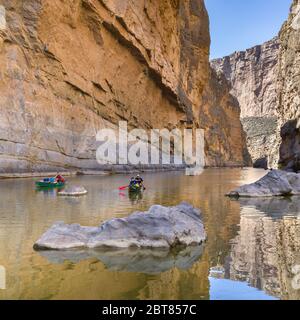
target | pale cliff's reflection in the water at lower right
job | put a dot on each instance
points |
(266, 251)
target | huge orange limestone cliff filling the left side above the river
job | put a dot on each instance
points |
(71, 68)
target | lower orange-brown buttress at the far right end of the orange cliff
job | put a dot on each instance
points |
(219, 115)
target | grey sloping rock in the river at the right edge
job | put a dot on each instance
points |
(275, 183)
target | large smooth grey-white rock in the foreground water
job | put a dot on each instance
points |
(160, 227)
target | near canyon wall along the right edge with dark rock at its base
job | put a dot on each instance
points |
(289, 91)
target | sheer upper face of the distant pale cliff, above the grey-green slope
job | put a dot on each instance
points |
(251, 74)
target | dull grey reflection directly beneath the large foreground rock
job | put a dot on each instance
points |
(150, 261)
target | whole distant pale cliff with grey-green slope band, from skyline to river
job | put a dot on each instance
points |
(252, 75)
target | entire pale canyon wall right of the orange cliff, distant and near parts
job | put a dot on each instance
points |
(266, 81)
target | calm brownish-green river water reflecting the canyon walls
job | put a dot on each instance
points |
(252, 251)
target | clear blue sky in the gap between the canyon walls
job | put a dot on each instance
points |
(240, 24)
